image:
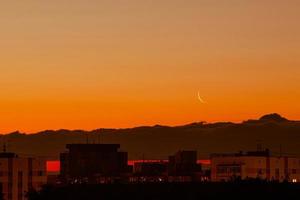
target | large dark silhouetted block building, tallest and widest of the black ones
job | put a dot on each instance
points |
(93, 163)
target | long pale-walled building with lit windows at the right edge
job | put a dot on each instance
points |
(257, 164)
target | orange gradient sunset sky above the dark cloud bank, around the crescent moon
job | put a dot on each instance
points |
(85, 64)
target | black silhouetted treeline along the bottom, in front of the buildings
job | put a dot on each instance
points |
(162, 191)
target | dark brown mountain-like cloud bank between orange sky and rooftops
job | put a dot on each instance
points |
(157, 142)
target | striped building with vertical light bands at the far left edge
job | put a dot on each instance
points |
(18, 175)
